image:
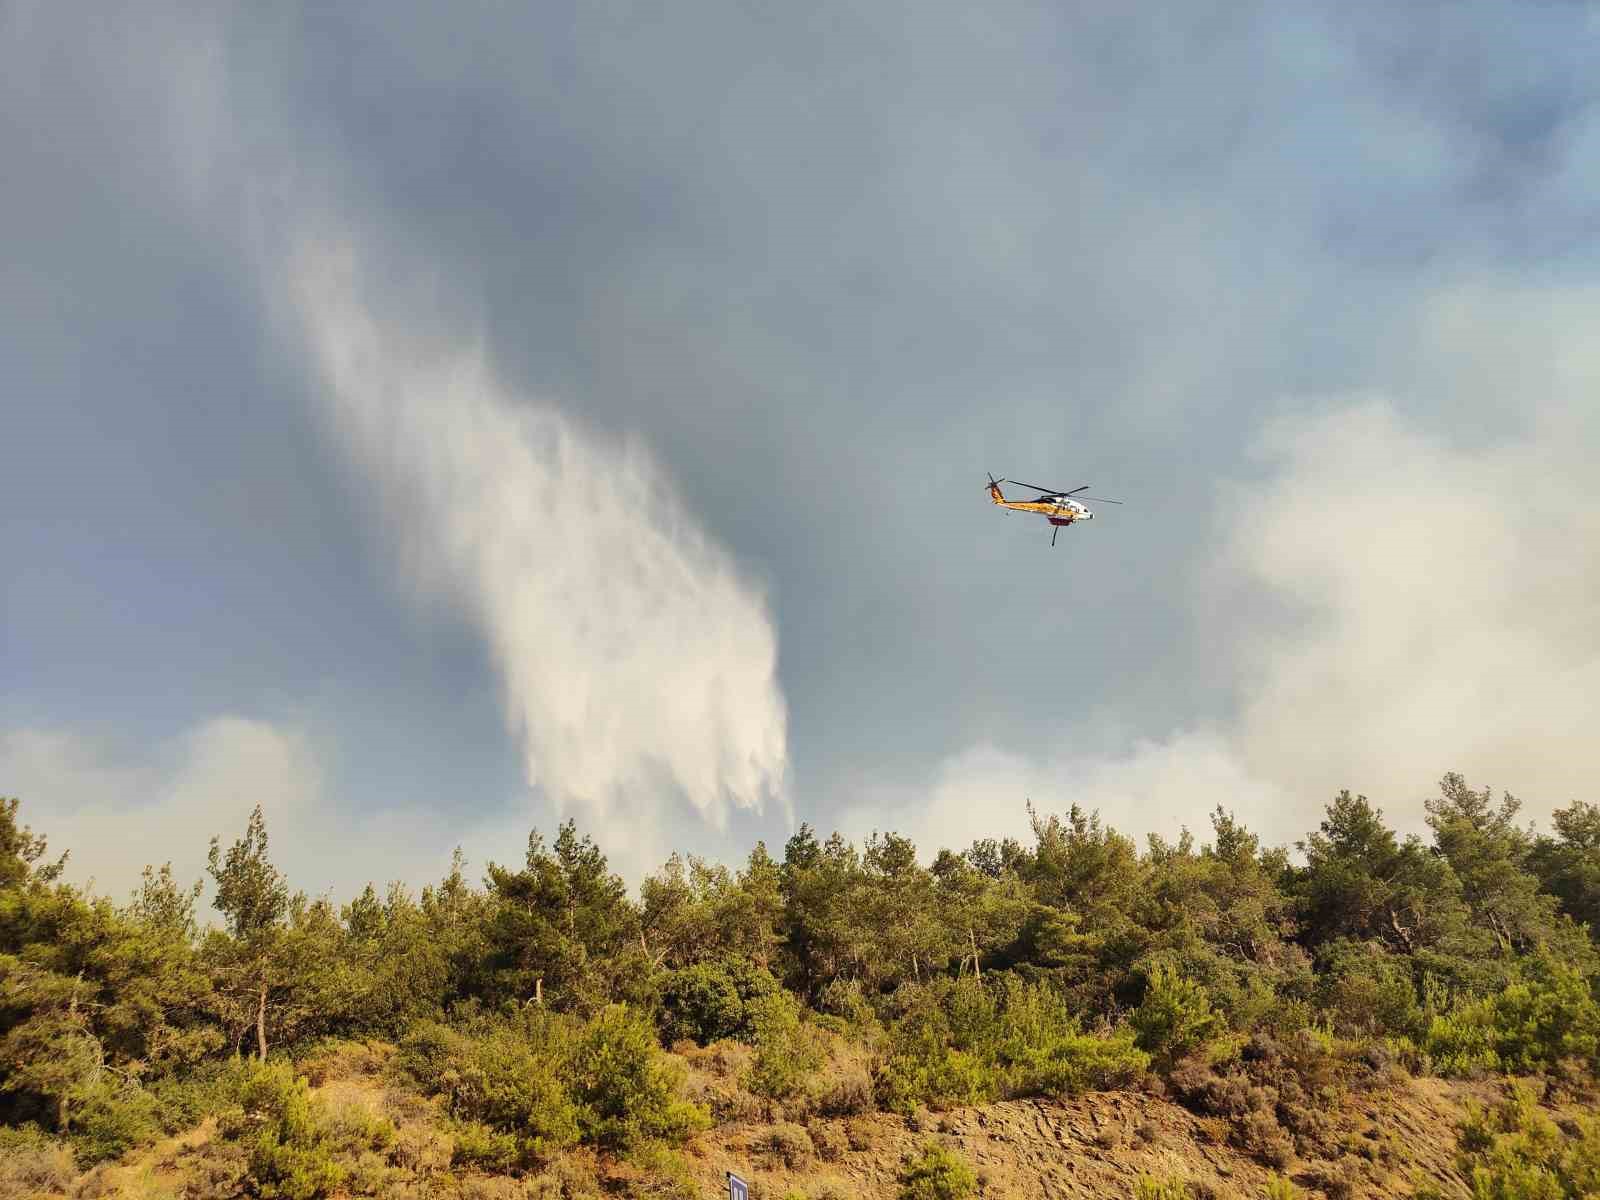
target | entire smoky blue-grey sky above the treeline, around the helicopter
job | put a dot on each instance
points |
(431, 422)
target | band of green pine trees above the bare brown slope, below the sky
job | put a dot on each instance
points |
(546, 993)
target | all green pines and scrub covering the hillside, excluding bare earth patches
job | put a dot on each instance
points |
(545, 1033)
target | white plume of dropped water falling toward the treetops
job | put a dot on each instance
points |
(639, 666)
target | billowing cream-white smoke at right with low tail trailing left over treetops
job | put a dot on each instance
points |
(1398, 598)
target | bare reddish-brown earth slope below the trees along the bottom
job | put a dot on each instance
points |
(1098, 1145)
